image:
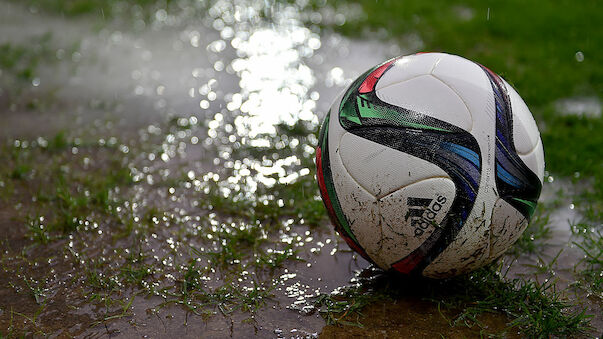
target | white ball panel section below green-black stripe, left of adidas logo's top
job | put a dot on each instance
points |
(381, 170)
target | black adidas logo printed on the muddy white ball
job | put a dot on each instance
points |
(422, 212)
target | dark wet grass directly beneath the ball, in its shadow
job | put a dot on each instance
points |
(537, 310)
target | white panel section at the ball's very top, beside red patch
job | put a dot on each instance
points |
(408, 67)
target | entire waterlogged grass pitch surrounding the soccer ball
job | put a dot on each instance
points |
(157, 170)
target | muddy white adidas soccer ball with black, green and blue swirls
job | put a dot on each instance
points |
(430, 164)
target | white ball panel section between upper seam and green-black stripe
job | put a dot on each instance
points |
(430, 96)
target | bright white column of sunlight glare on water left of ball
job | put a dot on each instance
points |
(275, 85)
